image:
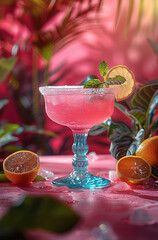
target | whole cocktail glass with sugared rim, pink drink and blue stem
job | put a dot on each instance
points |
(79, 109)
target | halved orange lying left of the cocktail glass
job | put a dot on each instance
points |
(21, 167)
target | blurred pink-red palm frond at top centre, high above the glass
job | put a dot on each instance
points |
(73, 25)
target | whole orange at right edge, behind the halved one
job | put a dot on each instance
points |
(148, 150)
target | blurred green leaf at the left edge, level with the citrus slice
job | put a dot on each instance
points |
(6, 66)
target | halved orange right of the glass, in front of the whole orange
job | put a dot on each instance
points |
(133, 169)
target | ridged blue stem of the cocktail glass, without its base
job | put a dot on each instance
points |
(80, 149)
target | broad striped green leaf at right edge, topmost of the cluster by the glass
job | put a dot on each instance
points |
(144, 96)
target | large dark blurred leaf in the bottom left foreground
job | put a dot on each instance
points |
(43, 213)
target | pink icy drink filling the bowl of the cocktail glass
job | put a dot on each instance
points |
(79, 111)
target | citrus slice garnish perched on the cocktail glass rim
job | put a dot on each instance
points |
(127, 88)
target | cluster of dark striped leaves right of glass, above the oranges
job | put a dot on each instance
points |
(141, 109)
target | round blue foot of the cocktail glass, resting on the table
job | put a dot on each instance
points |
(78, 179)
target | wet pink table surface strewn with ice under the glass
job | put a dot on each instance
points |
(113, 207)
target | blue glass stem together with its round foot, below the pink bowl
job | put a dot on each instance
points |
(80, 177)
